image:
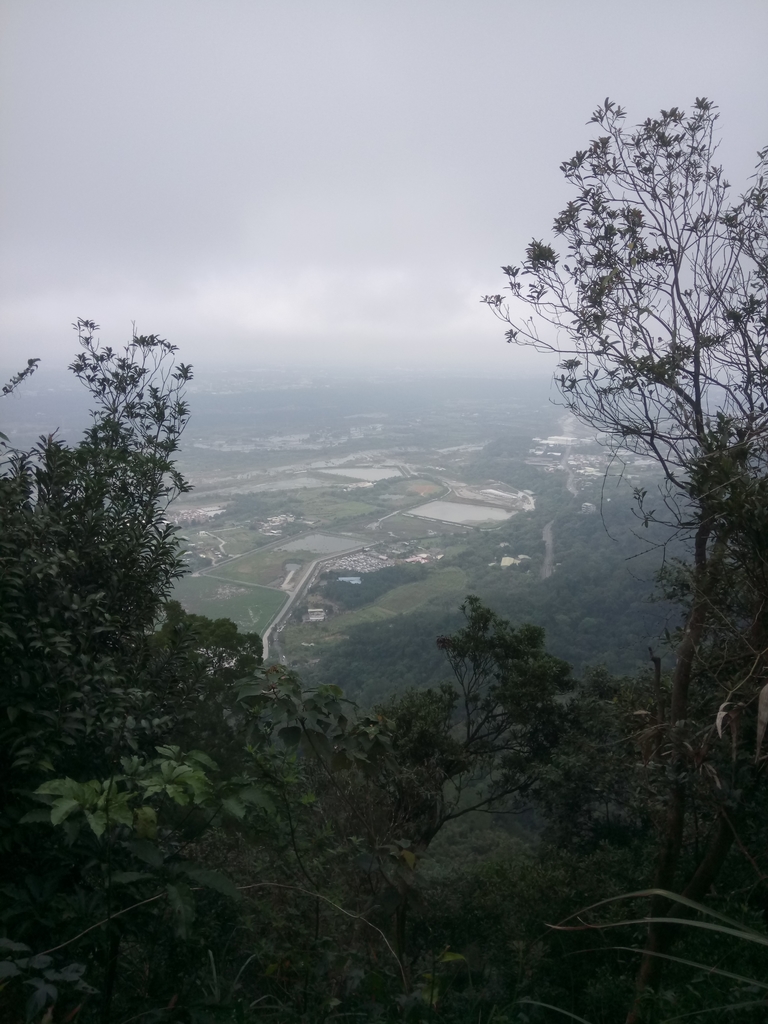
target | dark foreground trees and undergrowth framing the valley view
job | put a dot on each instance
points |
(188, 835)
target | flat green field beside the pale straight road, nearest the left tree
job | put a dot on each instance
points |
(251, 608)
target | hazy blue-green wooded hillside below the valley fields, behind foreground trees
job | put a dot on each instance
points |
(598, 609)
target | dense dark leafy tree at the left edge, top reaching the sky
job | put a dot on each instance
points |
(88, 559)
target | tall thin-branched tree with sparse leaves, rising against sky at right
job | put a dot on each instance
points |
(658, 312)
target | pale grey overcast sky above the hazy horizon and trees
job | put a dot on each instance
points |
(321, 182)
